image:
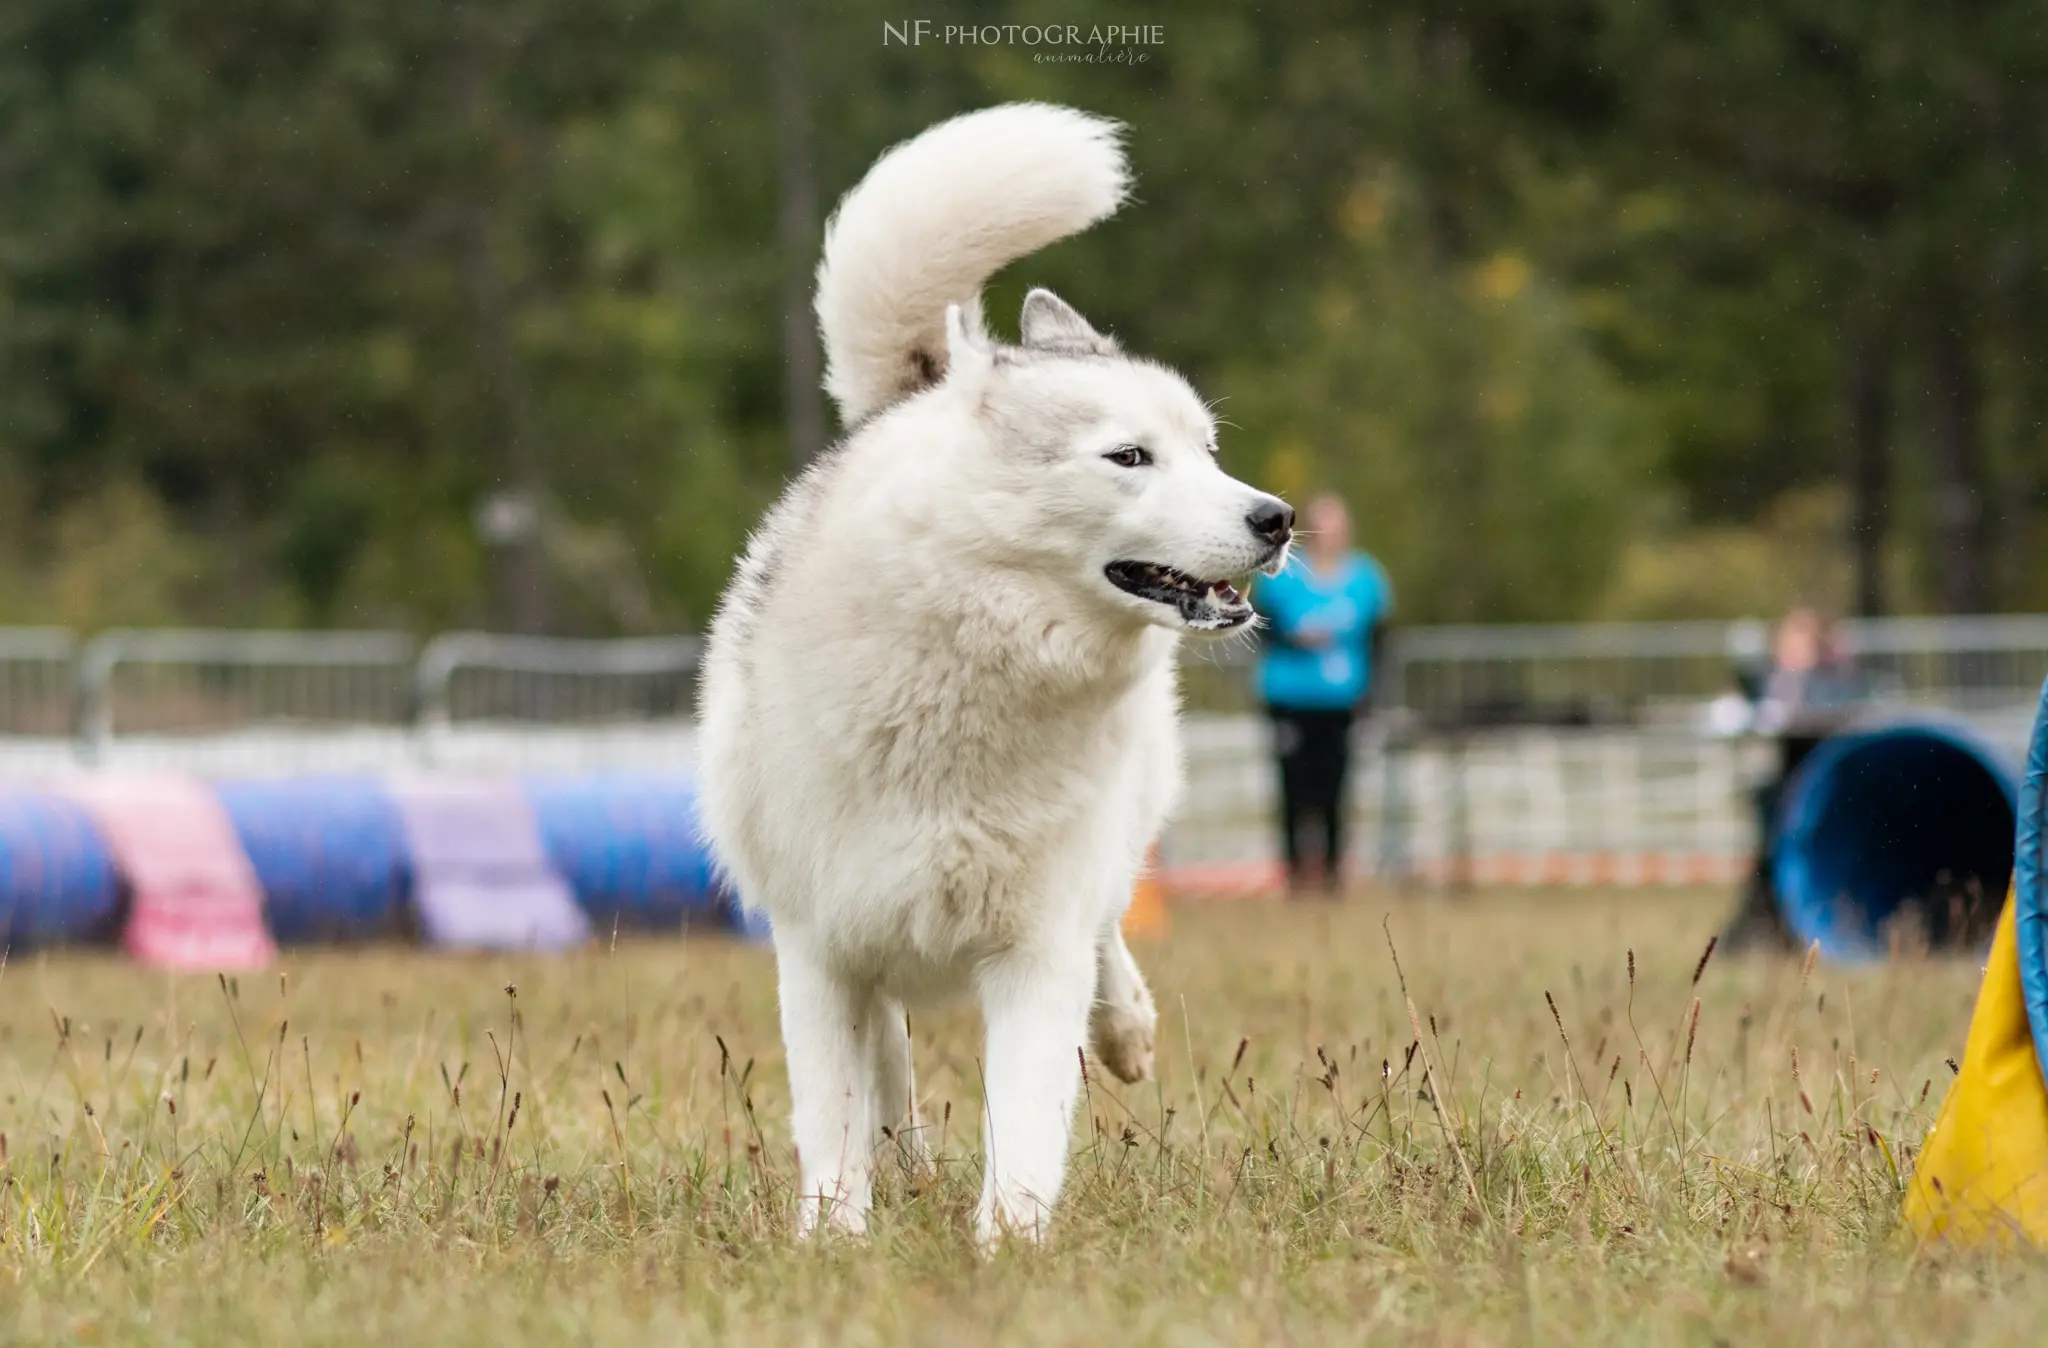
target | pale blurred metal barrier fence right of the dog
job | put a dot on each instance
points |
(1574, 753)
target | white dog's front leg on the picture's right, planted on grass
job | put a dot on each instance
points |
(1037, 1023)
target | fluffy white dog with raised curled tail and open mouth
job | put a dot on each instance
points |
(939, 702)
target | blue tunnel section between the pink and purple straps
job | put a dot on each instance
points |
(329, 853)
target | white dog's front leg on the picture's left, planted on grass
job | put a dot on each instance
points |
(830, 1091)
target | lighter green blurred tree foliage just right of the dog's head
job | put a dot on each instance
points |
(1476, 396)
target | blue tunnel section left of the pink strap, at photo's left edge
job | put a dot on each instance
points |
(58, 878)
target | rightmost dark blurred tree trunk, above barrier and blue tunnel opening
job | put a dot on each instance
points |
(1959, 464)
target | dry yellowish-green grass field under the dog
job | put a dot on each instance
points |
(400, 1148)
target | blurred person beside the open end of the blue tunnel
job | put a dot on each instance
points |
(1805, 696)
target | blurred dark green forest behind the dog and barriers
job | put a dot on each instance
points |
(460, 314)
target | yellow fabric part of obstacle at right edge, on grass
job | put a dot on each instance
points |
(1983, 1171)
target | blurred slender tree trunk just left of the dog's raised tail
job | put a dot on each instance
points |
(798, 226)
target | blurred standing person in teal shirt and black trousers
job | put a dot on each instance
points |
(1326, 622)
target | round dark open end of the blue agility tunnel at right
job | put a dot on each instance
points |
(1906, 818)
